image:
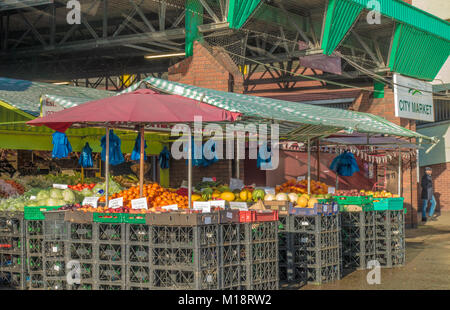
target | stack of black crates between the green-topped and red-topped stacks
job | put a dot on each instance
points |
(184, 251)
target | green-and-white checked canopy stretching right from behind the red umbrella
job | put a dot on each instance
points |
(296, 120)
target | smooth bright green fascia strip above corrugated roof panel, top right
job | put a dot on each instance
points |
(408, 14)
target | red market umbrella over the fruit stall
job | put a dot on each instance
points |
(140, 106)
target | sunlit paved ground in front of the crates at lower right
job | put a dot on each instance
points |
(427, 263)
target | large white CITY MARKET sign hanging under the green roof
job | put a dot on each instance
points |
(413, 98)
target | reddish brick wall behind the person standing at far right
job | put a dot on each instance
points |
(441, 185)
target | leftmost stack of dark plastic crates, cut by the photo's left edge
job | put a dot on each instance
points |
(12, 250)
